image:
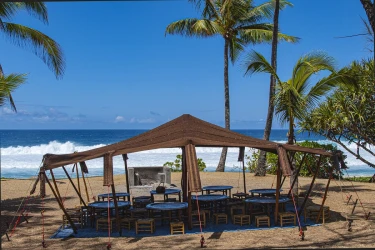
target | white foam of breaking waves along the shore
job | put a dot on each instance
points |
(30, 157)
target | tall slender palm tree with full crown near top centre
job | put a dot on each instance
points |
(239, 23)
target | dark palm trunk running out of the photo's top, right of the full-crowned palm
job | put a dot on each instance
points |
(261, 167)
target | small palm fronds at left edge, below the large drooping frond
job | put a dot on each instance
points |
(7, 85)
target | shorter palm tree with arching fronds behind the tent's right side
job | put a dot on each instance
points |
(296, 96)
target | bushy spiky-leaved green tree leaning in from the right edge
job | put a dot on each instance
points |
(348, 116)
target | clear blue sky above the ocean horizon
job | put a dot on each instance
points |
(122, 72)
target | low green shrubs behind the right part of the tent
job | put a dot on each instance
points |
(307, 168)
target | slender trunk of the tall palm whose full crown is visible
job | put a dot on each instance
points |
(223, 157)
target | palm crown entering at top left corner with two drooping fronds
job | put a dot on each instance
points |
(43, 46)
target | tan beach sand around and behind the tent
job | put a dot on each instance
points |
(333, 233)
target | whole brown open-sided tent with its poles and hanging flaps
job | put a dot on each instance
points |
(185, 132)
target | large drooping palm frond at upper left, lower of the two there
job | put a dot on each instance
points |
(44, 47)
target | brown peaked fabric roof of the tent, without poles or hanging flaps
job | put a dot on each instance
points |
(179, 132)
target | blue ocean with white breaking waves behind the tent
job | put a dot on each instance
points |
(22, 151)
